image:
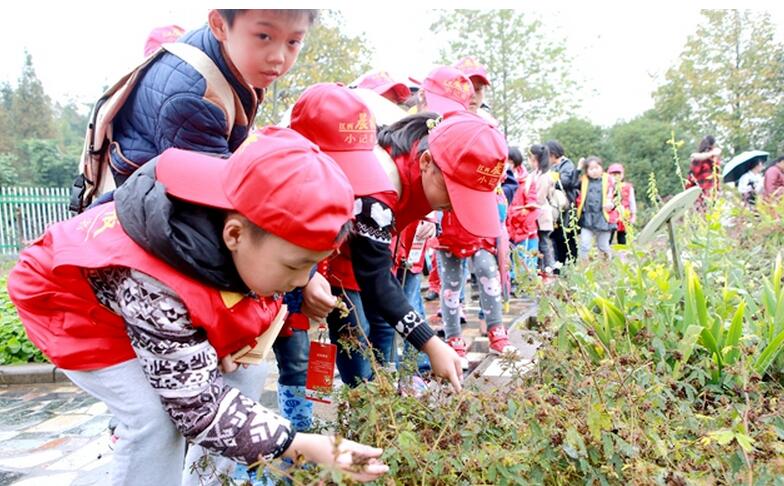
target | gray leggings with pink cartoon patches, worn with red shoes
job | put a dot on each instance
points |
(452, 281)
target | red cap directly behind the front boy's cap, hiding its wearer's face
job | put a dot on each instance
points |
(340, 123)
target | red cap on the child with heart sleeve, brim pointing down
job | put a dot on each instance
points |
(471, 153)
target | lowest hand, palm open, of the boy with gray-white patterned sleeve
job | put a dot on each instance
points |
(359, 461)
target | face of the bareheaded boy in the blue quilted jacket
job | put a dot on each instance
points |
(262, 44)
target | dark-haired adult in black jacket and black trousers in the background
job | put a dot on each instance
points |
(566, 178)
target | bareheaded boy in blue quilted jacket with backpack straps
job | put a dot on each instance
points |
(250, 49)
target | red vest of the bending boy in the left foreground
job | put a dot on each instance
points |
(64, 319)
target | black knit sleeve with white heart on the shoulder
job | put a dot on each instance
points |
(371, 258)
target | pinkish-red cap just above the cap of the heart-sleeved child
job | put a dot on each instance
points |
(446, 89)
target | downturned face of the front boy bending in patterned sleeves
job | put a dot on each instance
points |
(268, 264)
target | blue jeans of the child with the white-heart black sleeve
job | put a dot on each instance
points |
(353, 365)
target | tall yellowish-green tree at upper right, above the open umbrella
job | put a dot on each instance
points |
(728, 80)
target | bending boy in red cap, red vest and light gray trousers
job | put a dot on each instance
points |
(142, 301)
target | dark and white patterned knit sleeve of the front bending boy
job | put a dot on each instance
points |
(182, 367)
